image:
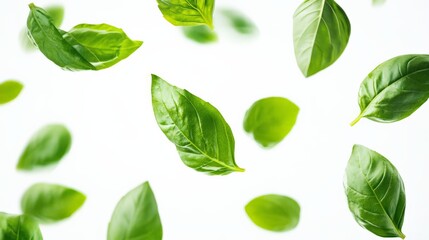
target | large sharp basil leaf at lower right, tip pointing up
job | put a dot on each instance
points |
(375, 192)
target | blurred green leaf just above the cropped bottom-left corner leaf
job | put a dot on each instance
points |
(50, 202)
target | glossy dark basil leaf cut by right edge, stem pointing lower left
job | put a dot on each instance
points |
(394, 89)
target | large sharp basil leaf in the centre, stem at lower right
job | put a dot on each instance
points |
(202, 137)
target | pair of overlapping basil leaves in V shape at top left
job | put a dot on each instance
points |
(84, 47)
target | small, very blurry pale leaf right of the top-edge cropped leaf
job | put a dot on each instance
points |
(239, 22)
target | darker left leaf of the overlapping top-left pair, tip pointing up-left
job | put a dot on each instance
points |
(51, 42)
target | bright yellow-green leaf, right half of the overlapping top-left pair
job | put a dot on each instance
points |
(102, 45)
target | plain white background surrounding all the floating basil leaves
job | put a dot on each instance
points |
(117, 144)
